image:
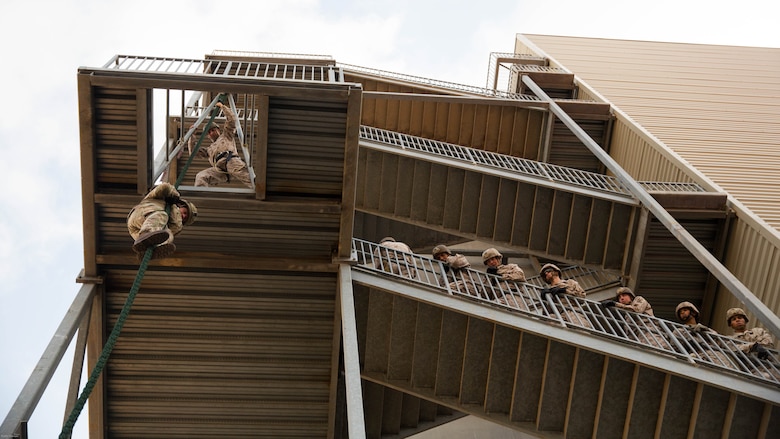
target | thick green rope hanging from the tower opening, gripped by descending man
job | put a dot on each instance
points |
(67, 428)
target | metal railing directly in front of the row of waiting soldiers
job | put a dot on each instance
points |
(528, 299)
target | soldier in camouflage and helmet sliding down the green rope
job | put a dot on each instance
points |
(150, 225)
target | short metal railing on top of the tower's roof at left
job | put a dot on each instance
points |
(221, 68)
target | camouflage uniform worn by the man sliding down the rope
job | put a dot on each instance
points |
(149, 215)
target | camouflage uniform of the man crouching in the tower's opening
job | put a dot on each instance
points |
(223, 156)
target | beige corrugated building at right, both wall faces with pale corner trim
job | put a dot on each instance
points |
(691, 112)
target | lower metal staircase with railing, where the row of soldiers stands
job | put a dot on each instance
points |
(522, 368)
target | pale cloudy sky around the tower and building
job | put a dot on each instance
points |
(46, 42)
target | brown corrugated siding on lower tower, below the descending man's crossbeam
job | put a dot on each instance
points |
(221, 354)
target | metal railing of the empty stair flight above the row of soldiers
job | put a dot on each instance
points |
(530, 168)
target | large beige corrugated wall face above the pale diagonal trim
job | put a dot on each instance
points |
(707, 103)
